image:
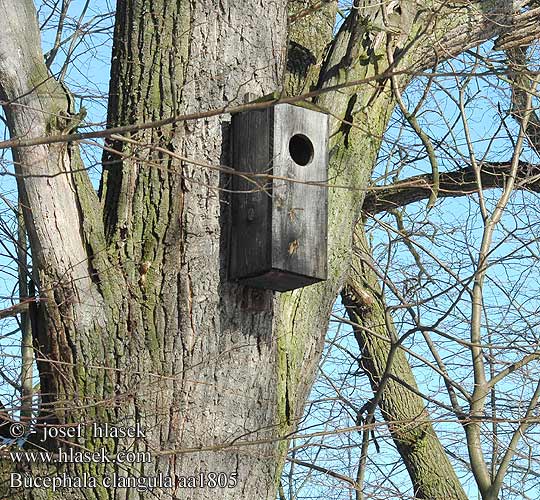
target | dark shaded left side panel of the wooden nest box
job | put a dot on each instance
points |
(251, 200)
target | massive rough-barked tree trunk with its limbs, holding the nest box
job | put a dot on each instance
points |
(137, 322)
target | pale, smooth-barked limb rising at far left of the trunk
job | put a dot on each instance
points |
(37, 105)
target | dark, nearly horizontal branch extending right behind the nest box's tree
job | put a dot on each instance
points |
(452, 185)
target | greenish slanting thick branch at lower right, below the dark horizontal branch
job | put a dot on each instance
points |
(393, 381)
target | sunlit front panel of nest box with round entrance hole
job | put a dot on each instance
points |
(300, 208)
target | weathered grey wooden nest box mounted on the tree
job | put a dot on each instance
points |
(279, 202)
